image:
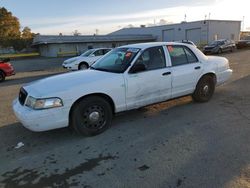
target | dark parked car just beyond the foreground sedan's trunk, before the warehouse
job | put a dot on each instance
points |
(219, 46)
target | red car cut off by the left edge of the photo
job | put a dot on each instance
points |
(6, 69)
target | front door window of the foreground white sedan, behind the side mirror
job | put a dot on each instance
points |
(153, 58)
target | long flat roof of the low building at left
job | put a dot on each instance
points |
(58, 39)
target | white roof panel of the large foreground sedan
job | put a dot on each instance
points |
(153, 44)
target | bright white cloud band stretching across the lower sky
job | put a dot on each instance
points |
(224, 9)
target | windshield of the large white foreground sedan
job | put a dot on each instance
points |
(117, 60)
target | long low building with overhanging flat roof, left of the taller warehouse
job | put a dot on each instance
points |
(60, 45)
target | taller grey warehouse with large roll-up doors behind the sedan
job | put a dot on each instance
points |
(200, 32)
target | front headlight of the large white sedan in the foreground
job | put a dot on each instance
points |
(39, 104)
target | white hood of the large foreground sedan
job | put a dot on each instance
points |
(50, 86)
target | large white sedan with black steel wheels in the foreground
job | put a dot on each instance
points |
(129, 77)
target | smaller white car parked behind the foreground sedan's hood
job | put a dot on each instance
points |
(86, 59)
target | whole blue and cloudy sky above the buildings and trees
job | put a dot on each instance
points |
(105, 16)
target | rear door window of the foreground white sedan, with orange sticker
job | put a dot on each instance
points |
(177, 55)
